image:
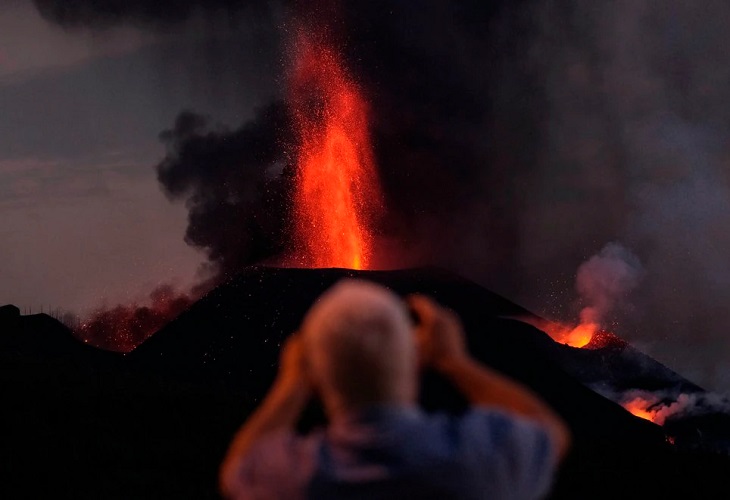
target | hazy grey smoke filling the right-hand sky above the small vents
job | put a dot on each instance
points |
(637, 129)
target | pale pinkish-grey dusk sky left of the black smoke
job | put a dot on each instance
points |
(83, 217)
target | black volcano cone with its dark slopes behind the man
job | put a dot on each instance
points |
(86, 423)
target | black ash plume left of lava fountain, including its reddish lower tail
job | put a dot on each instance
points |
(235, 184)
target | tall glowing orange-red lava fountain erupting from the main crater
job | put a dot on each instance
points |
(337, 193)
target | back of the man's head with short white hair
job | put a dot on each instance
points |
(361, 346)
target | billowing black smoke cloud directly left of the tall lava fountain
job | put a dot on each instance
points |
(235, 183)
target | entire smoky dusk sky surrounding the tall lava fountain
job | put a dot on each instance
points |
(516, 141)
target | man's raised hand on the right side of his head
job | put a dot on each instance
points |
(439, 334)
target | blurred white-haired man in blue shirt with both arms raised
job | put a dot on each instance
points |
(359, 352)
